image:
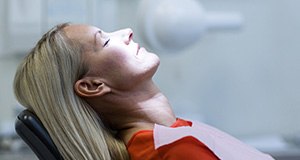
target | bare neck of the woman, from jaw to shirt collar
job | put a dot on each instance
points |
(139, 109)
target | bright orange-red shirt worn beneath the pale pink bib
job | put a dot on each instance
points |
(141, 147)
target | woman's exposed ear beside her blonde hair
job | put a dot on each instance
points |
(91, 87)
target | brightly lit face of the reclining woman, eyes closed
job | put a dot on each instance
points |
(114, 56)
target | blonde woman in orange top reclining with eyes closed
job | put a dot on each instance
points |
(94, 93)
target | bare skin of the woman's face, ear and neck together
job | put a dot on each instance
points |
(118, 84)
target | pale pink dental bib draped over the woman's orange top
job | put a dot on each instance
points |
(224, 146)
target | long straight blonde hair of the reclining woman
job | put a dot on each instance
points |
(44, 84)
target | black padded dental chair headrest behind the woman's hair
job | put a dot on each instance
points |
(32, 131)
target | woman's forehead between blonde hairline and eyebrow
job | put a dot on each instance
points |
(82, 33)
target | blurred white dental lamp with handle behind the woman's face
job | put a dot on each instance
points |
(173, 25)
